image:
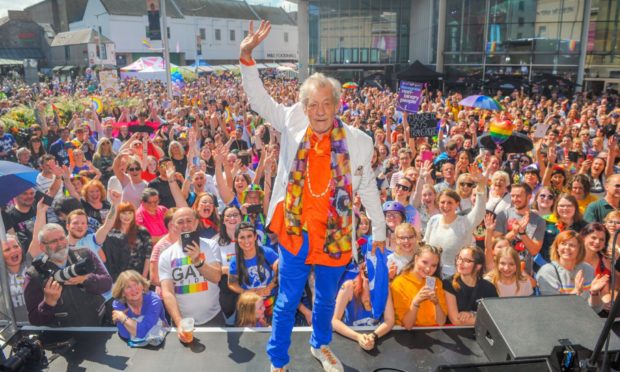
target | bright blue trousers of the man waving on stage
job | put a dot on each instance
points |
(293, 276)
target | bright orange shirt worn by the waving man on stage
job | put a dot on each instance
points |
(314, 210)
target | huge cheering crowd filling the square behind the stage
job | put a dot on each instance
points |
(143, 224)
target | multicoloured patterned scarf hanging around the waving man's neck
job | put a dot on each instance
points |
(340, 215)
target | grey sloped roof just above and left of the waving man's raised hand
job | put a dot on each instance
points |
(231, 9)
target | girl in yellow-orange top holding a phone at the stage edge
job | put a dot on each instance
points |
(415, 303)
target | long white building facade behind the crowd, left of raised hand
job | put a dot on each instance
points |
(212, 39)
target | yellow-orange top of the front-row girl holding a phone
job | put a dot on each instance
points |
(404, 288)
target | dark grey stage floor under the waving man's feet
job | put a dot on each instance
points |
(217, 349)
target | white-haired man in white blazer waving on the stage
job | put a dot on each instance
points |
(322, 164)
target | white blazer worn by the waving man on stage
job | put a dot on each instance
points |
(292, 123)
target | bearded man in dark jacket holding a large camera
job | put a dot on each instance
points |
(65, 297)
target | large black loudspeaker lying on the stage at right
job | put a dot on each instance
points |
(530, 327)
